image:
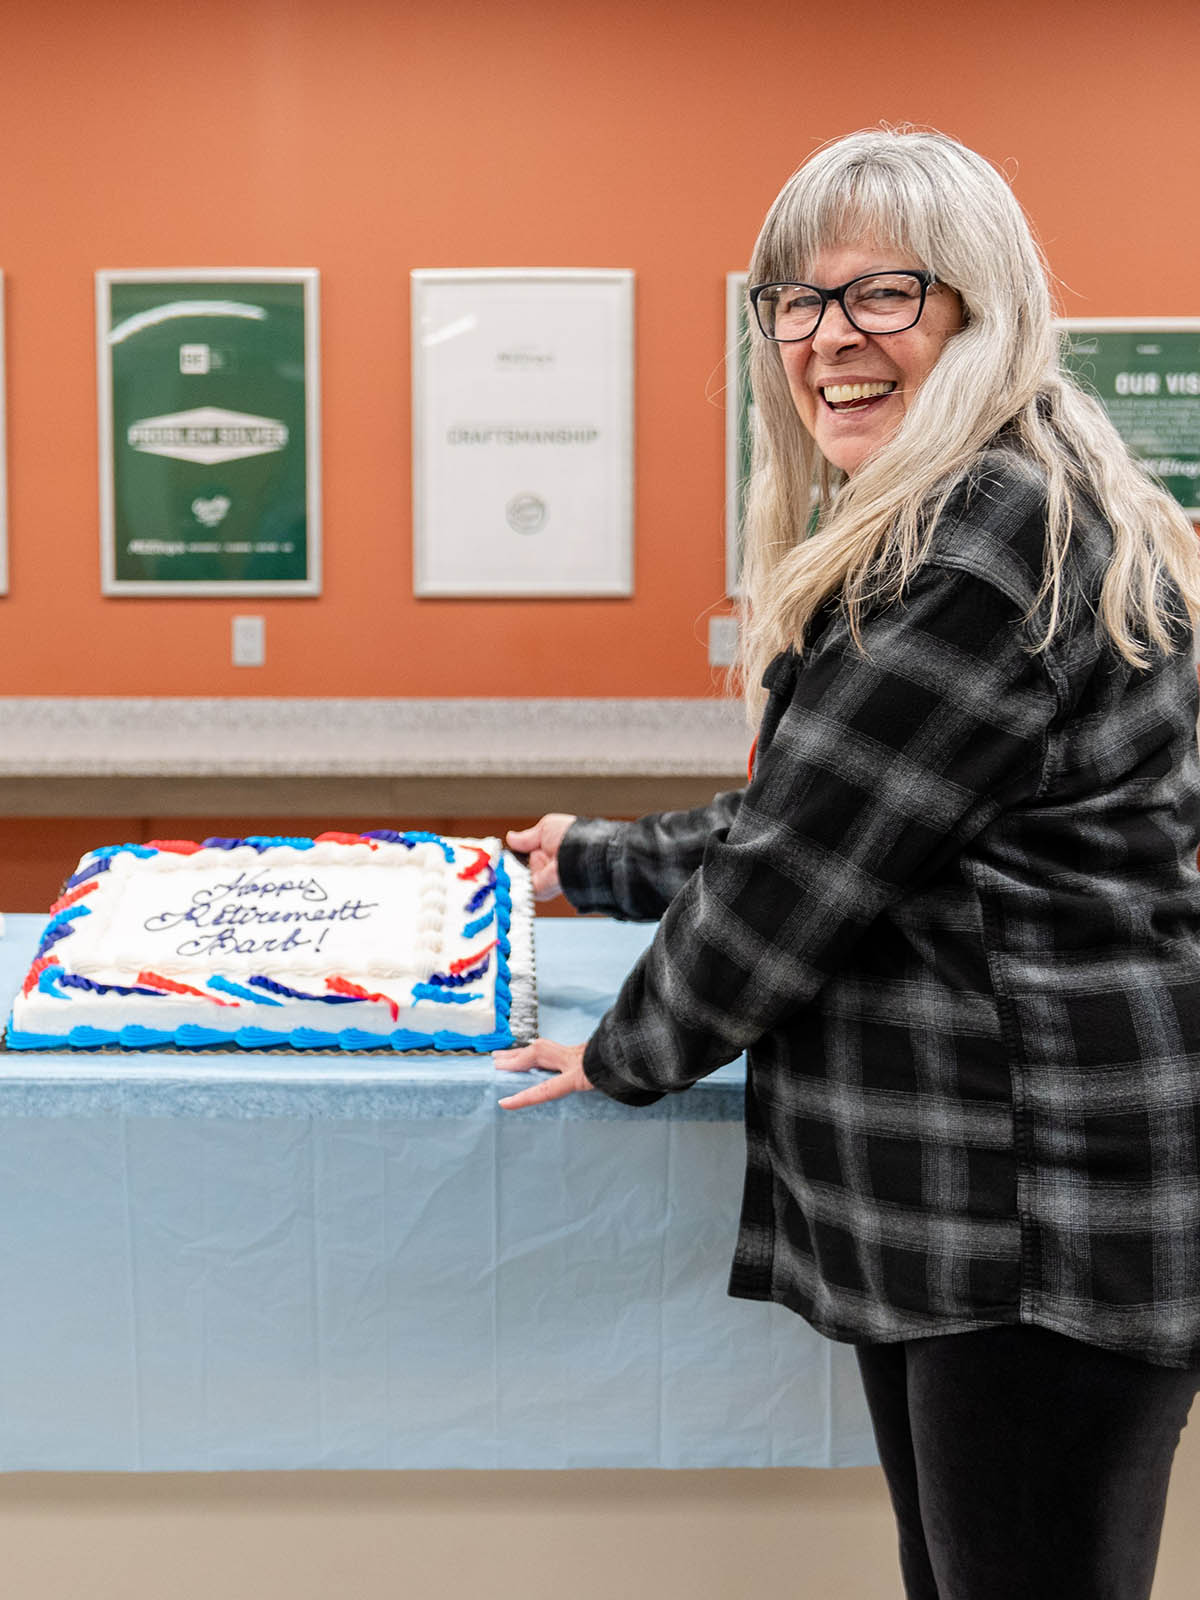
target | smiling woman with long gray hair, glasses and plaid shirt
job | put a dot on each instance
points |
(954, 918)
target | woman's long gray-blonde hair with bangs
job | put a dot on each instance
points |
(935, 201)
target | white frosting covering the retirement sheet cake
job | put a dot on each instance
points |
(382, 918)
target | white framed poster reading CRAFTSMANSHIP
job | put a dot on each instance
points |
(522, 433)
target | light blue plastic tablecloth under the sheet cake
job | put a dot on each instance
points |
(279, 1262)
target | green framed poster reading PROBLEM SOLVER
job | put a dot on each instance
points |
(209, 433)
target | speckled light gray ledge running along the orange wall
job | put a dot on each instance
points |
(345, 740)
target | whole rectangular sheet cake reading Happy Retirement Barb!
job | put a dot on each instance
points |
(351, 942)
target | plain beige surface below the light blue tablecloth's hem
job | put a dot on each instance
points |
(788, 1534)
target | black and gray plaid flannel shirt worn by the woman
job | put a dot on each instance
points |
(954, 924)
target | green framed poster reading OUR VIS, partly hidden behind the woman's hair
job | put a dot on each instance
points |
(1146, 375)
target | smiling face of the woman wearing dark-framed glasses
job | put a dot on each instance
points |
(852, 390)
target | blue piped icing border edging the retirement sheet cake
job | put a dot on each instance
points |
(193, 1036)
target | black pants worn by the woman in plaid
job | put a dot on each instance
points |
(1025, 1466)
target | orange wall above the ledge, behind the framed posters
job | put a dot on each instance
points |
(372, 137)
